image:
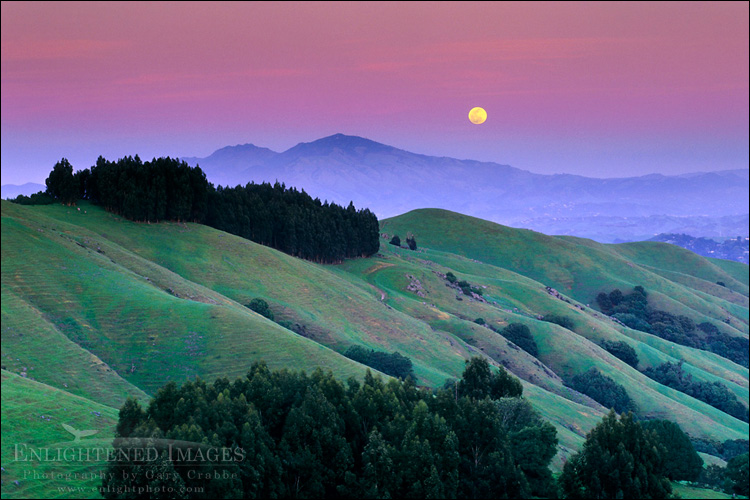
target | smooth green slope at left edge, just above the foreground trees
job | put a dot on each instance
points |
(116, 306)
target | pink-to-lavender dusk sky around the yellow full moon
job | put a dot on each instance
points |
(597, 89)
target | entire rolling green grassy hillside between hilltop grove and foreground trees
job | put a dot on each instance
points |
(103, 308)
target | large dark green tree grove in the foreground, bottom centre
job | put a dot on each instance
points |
(294, 435)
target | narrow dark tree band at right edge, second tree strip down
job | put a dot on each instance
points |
(715, 394)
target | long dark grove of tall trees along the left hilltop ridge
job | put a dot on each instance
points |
(272, 215)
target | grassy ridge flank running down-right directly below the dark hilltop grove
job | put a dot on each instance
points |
(336, 312)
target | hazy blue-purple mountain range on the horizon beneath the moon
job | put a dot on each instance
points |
(391, 181)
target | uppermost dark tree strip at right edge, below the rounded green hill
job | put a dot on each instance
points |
(633, 310)
